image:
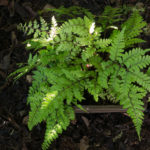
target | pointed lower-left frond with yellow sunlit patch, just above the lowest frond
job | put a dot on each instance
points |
(39, 105)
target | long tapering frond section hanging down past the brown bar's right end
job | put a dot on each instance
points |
(129, 96)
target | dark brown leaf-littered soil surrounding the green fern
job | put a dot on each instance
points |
(109, 131)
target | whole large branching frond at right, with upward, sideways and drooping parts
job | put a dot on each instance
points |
(126, 72)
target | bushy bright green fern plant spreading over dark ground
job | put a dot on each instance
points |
(76, 57)
